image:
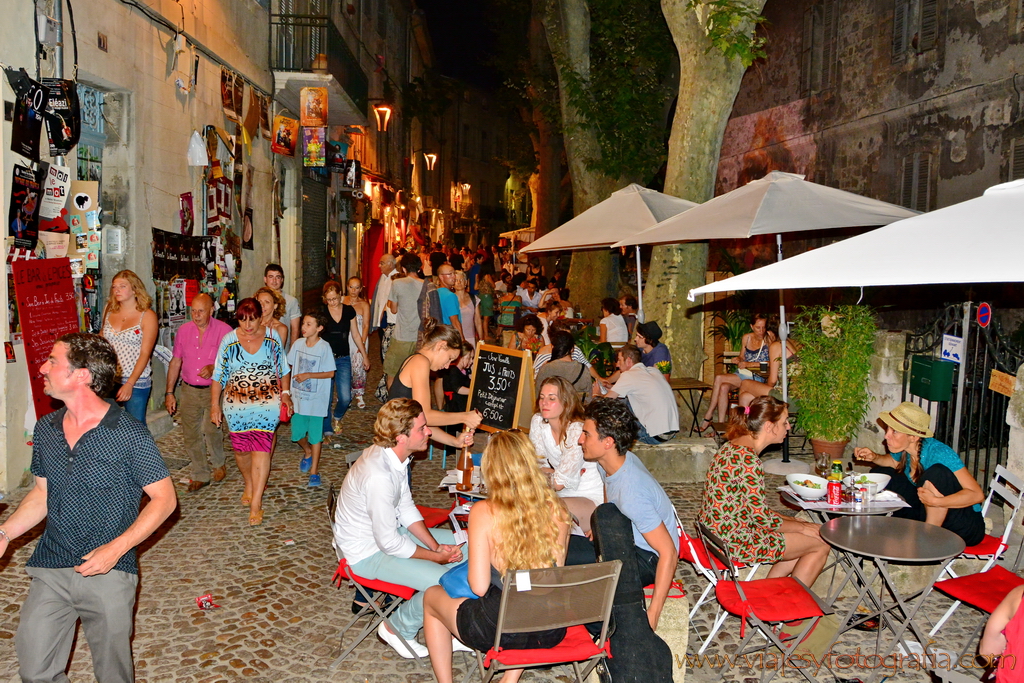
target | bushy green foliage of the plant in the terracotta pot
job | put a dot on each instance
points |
(831, 380)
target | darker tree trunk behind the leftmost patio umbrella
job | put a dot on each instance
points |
(594, 274)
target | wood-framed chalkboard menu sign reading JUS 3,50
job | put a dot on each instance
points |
(502, 389)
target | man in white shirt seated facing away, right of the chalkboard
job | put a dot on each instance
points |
(649, 396)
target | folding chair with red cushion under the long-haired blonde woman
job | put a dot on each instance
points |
(558, 597)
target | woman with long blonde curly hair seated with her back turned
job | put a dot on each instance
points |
(522, 526)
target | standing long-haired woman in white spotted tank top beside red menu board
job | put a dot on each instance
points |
(131, 326)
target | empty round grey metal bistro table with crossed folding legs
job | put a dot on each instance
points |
(885, 540)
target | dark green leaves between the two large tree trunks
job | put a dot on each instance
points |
(624, 99)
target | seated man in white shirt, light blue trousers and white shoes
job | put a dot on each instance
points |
(378, 529)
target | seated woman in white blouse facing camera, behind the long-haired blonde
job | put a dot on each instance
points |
(556, 433)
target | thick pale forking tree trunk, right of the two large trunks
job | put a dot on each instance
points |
(708, 88)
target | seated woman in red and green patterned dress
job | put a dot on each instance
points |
(734, 503)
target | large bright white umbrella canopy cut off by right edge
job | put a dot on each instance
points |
(977, 241)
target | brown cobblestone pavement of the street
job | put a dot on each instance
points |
(279, 616)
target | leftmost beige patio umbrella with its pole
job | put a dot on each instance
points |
(627, 212)
